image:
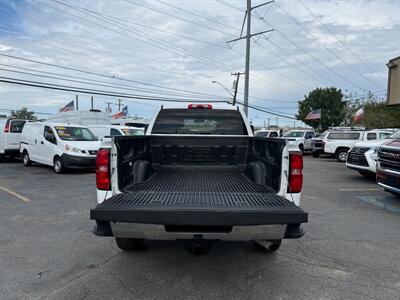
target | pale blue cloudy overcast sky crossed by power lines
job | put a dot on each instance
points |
(180, 47)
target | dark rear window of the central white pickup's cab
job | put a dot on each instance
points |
(199, 121)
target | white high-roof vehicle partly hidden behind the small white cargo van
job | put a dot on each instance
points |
(85, 118)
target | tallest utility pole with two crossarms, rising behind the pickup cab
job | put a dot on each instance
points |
(248, 37)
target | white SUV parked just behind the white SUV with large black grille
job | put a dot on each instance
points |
(338, 143)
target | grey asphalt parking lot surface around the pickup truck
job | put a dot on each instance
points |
(351, 249)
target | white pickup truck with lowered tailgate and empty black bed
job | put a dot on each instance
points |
(198, 175)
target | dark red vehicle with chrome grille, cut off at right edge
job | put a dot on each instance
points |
(388, 168)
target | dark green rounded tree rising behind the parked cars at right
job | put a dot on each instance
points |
(332, 105)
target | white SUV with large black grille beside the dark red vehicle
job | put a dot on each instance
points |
(363, 156)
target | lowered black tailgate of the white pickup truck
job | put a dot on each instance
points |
(202, 209)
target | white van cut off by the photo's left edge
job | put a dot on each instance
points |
(10, 135)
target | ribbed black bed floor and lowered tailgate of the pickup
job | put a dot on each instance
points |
(199, 195)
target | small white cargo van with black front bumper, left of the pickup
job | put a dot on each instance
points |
(59, 145)
